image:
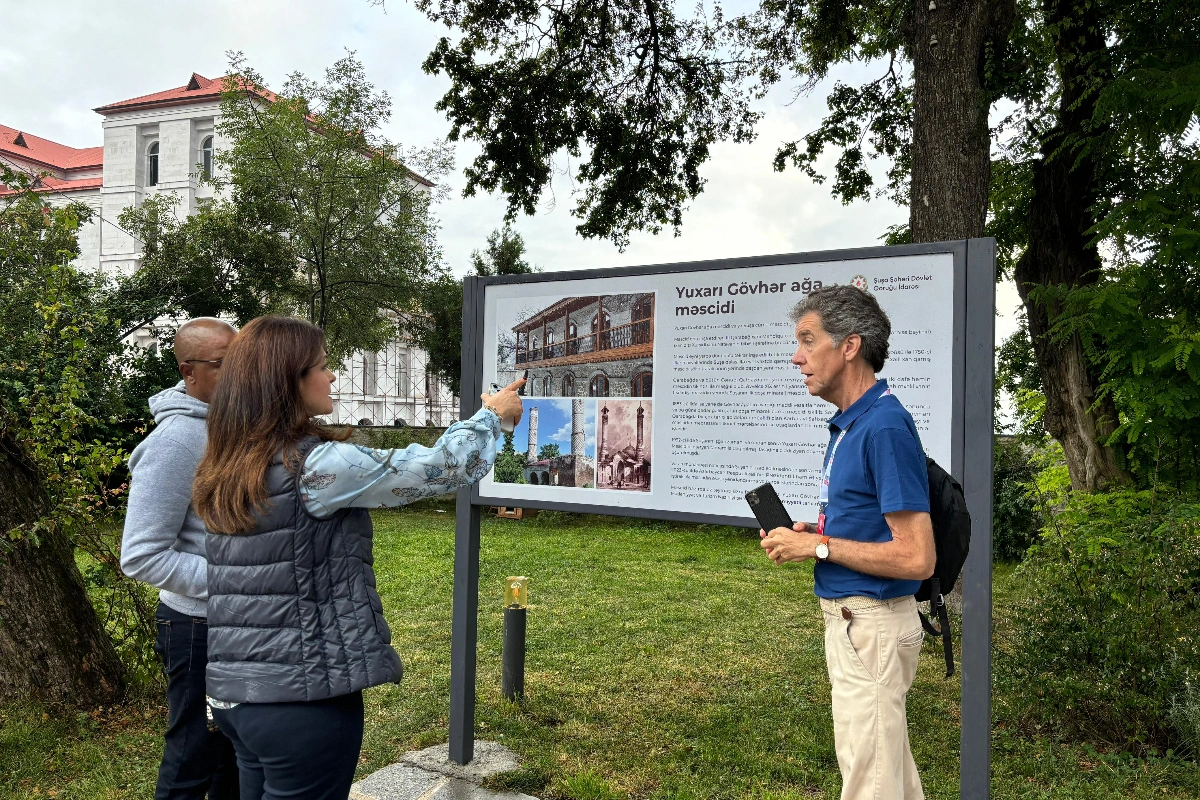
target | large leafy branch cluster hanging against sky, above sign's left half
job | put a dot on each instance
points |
(633, 92)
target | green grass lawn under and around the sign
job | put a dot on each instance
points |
(663, 663)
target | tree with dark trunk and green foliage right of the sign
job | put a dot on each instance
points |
(1093, 165)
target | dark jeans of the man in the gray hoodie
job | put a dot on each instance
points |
(195, 761)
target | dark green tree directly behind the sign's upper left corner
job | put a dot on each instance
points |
(437, 329)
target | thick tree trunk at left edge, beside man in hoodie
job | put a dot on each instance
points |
(52, 645)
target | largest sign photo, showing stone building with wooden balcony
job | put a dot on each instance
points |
(598, 346)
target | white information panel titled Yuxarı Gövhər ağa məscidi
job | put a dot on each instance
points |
(671, 393)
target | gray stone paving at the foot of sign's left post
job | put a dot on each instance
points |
(430, 775)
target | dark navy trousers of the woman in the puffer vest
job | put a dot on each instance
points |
(296, 750)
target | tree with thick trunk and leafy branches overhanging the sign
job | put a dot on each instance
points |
(640, 94)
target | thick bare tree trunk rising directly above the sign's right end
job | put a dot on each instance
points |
(951, 140)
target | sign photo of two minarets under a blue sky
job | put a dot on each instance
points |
(554, 446)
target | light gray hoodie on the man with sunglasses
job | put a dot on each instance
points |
(164, 540)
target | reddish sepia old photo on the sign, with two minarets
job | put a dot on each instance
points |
(623, 448)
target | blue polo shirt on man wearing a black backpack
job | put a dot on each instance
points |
(879, 468)
